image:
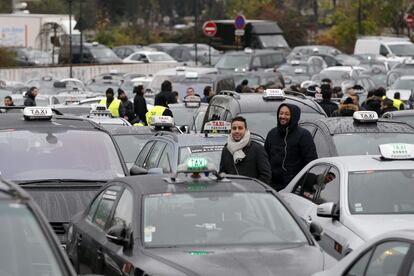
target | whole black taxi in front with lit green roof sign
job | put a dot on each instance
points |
(191, 225)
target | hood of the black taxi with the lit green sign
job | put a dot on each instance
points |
(279, 260)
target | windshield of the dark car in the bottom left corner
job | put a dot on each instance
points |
(24, 244)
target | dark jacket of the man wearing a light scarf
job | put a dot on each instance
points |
(255, 164)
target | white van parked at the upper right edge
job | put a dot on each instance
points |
(385, 46)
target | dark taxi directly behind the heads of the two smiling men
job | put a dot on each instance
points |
(256, 107)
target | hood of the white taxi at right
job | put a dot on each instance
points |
(369, 226)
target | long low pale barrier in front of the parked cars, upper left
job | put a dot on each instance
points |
(81, 72)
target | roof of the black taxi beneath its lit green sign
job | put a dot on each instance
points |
(157, 184)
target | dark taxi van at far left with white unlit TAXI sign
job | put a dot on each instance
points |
(60, 160)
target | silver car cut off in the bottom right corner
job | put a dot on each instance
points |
(388, 254)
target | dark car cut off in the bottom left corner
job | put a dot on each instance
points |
(28, 245)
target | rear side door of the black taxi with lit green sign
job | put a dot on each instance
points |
(91, 235)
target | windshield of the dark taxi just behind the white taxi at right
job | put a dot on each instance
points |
(367, 143)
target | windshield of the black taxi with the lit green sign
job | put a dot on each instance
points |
(213, 218)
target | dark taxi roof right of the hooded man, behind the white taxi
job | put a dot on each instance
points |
(342, 125)
